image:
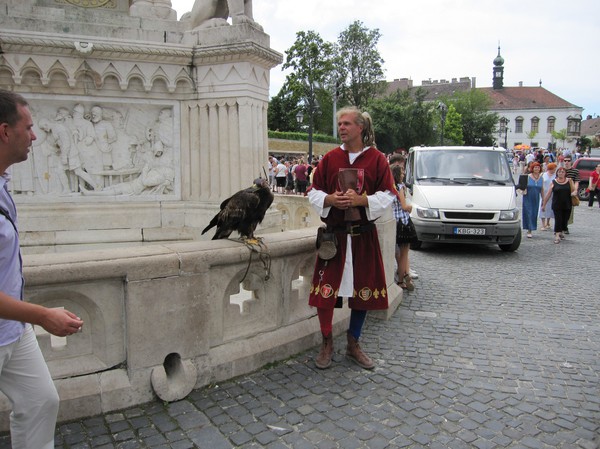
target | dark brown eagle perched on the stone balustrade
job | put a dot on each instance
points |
(242, 211)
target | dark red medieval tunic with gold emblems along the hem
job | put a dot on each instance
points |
(370, 288)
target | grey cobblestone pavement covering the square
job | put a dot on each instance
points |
(492, 350)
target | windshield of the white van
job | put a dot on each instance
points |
(461, 164)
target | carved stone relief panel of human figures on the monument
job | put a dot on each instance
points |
(100, 149)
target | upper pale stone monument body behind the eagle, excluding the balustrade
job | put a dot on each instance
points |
(143, 122)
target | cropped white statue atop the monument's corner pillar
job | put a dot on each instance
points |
(211, 13)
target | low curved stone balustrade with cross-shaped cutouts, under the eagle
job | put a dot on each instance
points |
(163, 319)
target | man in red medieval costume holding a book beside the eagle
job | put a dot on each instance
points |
(352, 187)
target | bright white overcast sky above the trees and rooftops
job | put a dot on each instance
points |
(551, 40)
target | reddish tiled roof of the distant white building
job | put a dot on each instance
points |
(525, 98)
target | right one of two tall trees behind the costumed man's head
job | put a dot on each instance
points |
(359, 65)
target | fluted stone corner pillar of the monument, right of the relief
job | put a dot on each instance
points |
(224, 130)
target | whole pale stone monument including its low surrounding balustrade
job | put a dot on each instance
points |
(145, 124)
